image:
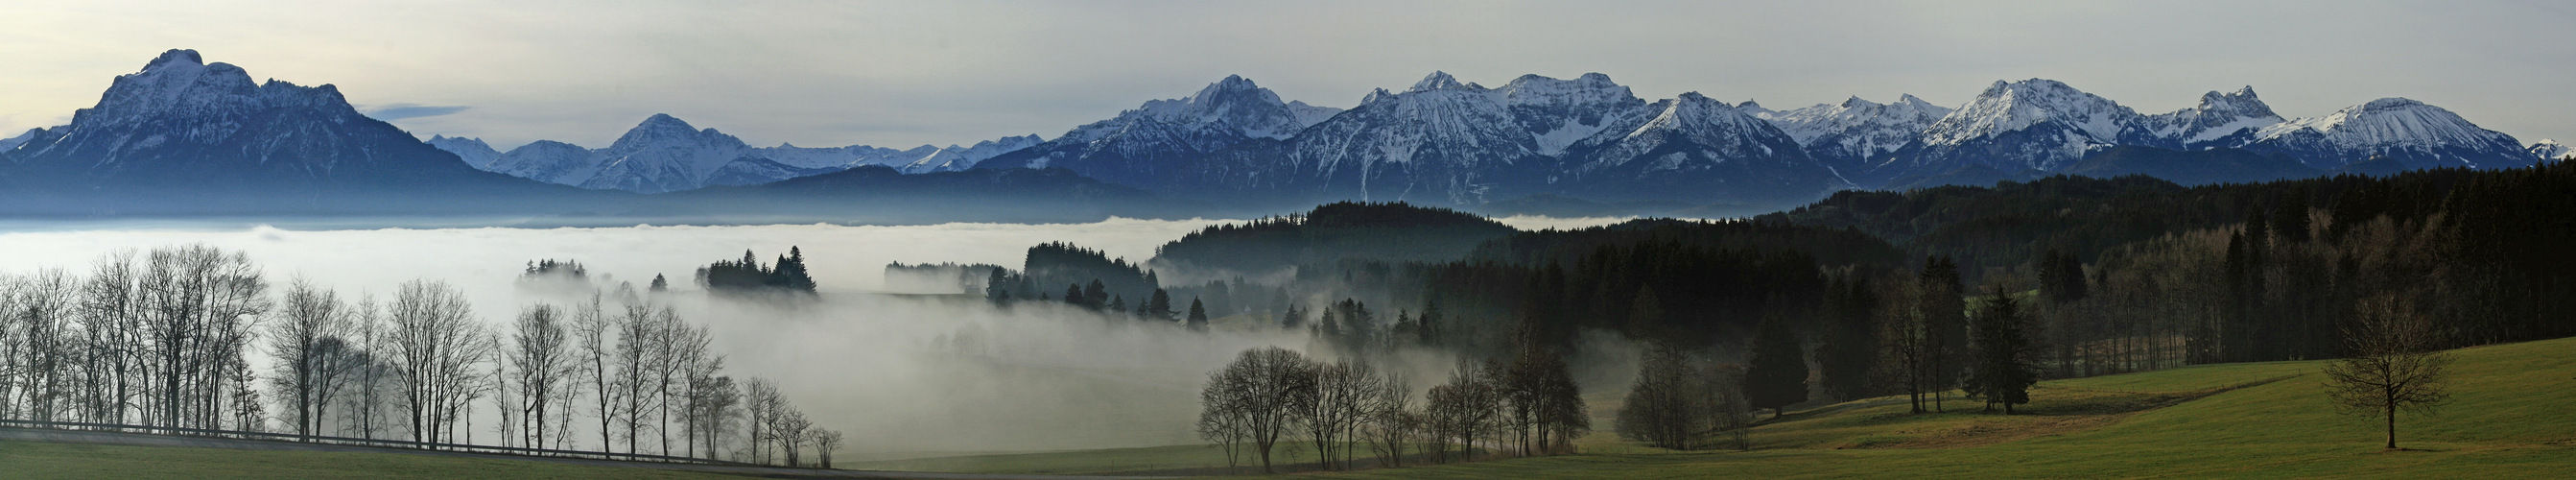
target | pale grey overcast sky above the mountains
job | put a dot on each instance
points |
(954, 74)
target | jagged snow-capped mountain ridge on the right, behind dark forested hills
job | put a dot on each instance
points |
(1588, 138)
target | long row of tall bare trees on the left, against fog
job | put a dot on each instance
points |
(169, 339)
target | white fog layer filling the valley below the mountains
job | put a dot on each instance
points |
(898, 373)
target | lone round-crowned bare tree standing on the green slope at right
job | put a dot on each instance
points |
(2394, 365)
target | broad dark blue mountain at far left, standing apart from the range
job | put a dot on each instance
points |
(187, 135)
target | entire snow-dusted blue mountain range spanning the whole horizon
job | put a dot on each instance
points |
(184, 128)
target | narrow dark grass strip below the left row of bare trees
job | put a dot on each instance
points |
(104, 461)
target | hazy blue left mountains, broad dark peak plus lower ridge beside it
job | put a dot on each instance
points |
(184, 138)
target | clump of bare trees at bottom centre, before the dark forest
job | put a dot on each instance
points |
(1274, 399)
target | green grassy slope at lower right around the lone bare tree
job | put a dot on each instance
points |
(2513, 417)
